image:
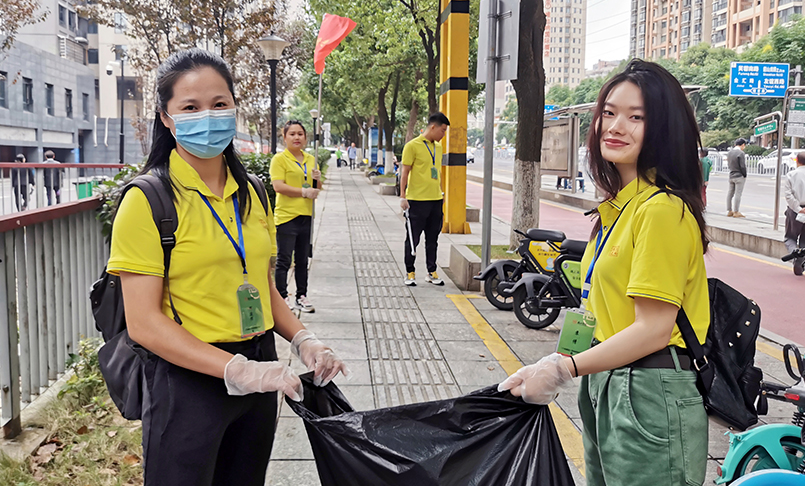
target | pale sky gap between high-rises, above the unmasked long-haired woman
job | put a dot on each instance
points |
(607, 31)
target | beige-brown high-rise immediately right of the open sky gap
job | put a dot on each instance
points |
(668, 28)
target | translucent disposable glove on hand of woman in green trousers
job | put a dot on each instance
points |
(540, 382)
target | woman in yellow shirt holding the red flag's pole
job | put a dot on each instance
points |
(293, 174)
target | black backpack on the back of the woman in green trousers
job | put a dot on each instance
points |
(728, 378)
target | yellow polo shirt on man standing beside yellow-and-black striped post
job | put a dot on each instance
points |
(422, 156)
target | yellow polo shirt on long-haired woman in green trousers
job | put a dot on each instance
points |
(654, 251)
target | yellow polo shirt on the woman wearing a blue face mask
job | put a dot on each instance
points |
(205, 270)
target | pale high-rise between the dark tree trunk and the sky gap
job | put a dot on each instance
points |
(564, 42)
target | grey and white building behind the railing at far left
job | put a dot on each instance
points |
(55, 93)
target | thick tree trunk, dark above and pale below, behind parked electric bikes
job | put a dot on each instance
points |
(530, 90)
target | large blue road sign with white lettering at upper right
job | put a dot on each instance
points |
(758, 79)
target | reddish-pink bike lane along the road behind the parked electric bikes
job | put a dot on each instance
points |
(774, 287)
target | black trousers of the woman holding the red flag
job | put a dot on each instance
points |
(293, 240)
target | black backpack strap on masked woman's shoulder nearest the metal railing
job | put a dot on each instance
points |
(165, 219)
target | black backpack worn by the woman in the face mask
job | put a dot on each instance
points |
(123, 361)
